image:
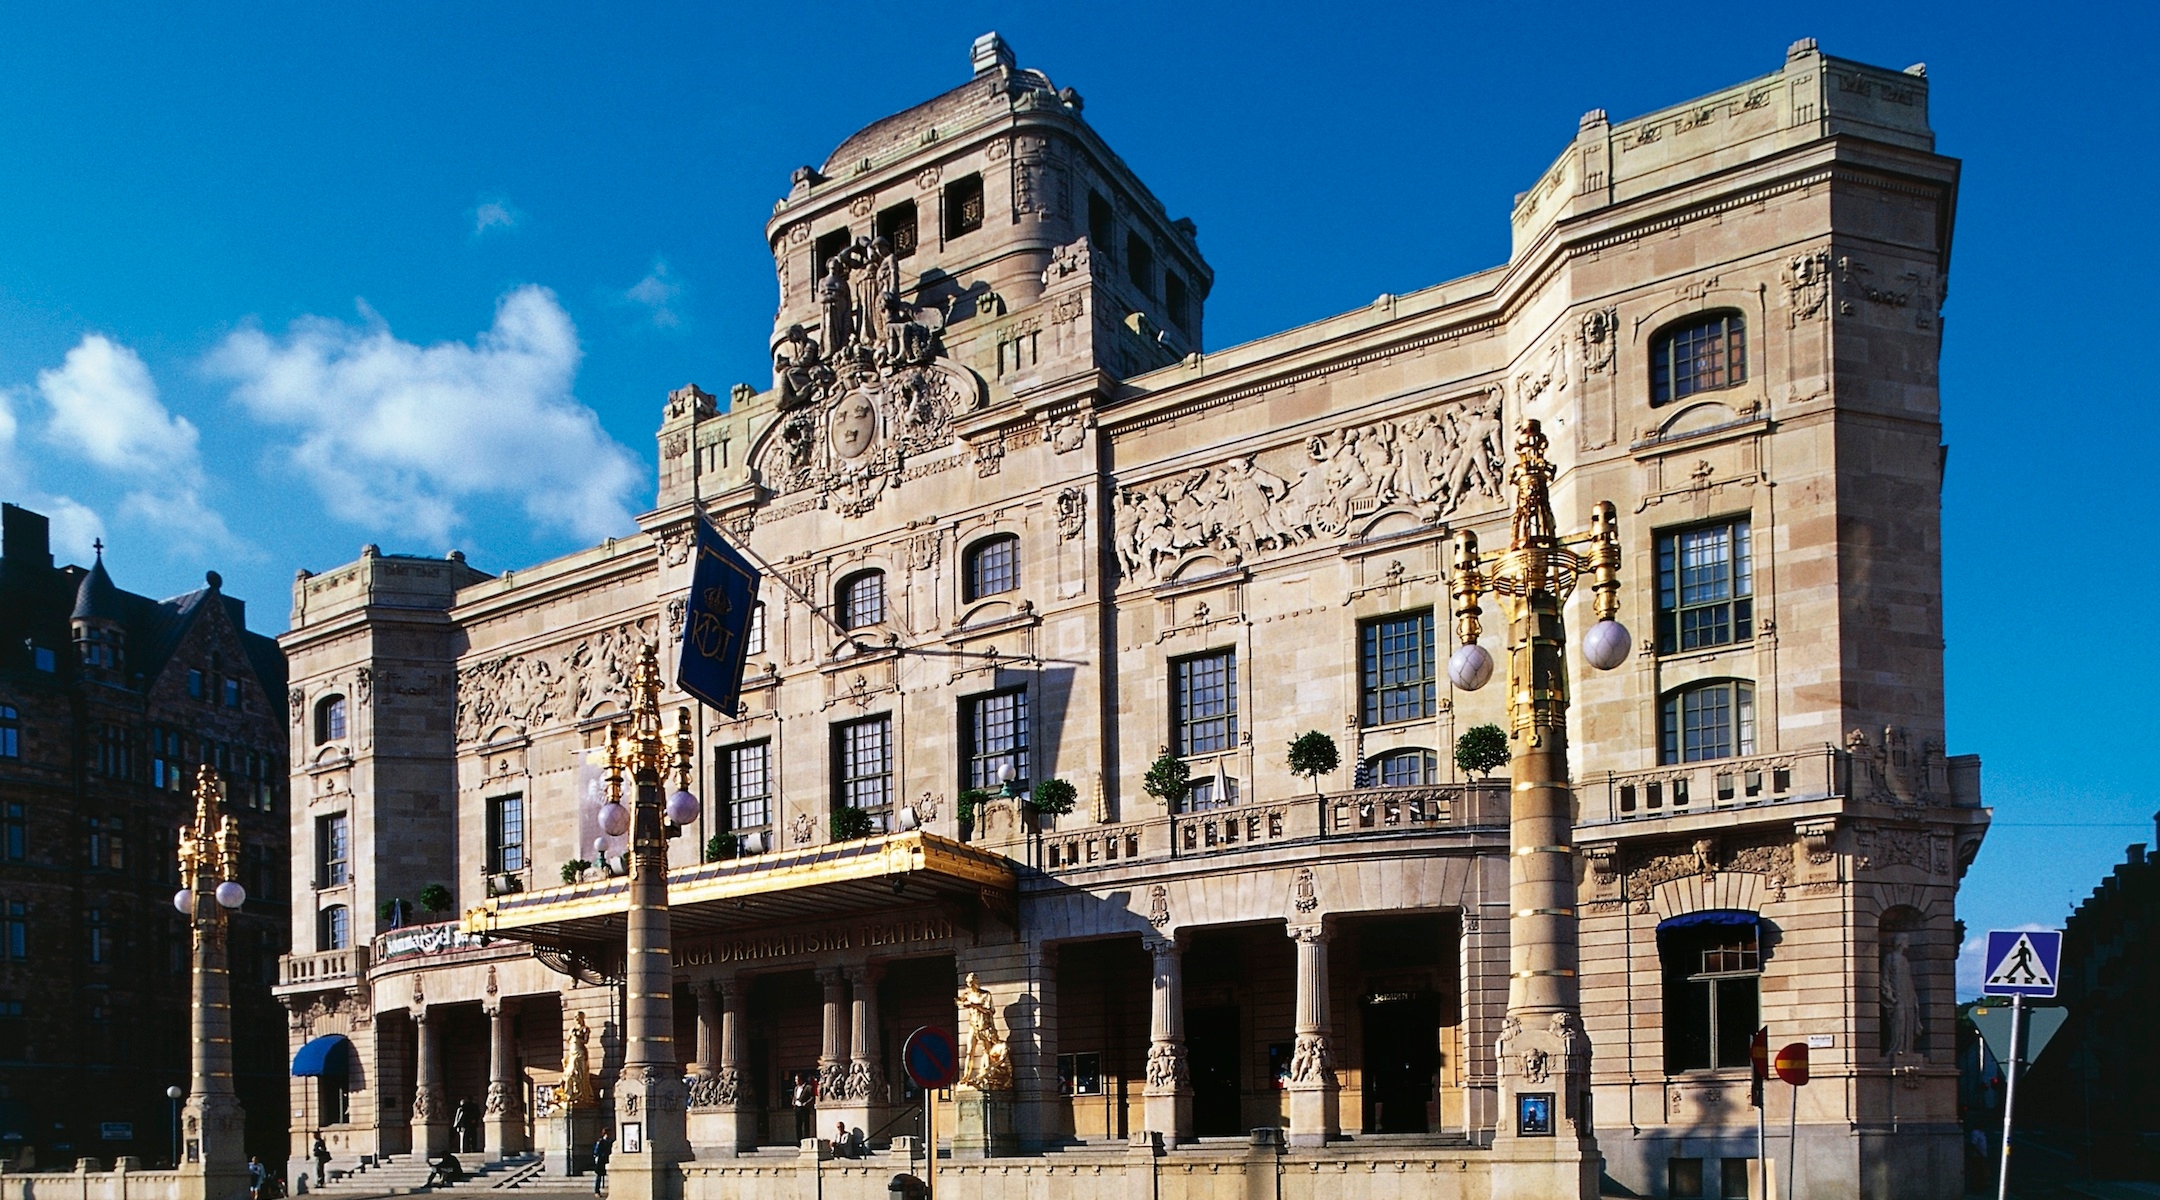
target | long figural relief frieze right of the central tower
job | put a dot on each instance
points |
(1435, 463)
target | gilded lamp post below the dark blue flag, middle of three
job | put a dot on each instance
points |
(651, 1121)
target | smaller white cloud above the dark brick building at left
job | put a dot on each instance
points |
(105, 411)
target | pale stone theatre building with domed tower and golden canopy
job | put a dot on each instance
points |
(1025, 526)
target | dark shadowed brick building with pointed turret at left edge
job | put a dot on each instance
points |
(109, 703)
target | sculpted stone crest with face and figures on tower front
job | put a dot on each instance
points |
(863, 392)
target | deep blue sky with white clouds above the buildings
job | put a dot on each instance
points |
(284, 279)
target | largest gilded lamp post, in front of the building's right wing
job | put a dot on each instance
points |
(1545, 1128)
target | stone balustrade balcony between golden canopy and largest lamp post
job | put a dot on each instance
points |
(1371, 813)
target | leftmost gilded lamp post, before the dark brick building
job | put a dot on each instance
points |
(213, 1162)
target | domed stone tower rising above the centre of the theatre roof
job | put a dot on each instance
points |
(995, 223)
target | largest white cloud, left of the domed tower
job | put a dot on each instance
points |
(405, 437)
